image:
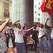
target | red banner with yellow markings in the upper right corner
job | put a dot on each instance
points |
(47, 6)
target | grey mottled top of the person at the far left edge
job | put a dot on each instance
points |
(3, 46)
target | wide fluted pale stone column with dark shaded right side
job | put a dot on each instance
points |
(22, 10)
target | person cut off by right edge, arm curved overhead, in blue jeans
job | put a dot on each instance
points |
(49, 34)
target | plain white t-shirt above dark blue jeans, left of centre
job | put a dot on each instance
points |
(19, 35)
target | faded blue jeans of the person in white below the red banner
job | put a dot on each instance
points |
(44, 45)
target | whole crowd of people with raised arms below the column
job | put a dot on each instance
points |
(15, 38)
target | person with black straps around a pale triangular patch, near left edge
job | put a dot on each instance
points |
(10, 38)
